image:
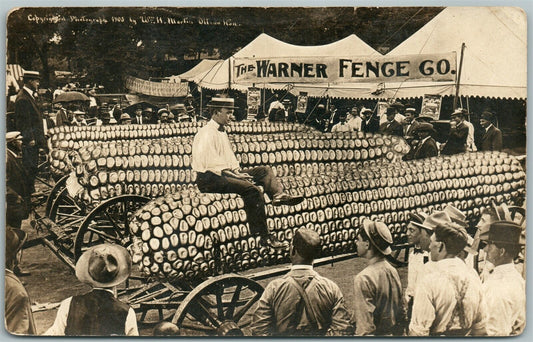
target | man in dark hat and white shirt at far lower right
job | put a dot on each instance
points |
(504, 288)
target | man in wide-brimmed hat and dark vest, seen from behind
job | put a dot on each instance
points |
(98, 312)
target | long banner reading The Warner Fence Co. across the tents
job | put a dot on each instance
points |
(434, 67)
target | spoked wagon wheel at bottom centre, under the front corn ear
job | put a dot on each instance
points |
(219, 305)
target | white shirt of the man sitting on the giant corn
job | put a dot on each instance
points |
(212, 151)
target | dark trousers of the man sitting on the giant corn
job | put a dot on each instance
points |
(254, 202)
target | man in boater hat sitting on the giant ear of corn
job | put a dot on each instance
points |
(219, 171)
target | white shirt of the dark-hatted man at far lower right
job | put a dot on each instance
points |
(505, 294)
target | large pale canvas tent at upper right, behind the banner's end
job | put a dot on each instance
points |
(495, 54)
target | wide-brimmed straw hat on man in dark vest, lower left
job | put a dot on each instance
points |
(104, 265)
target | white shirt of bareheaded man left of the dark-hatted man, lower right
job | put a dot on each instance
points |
(435, 299)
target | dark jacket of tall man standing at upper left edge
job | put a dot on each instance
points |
(28, 119)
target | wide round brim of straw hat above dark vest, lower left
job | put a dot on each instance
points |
(123, 260)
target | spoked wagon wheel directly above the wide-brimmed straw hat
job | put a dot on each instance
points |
(108, 222)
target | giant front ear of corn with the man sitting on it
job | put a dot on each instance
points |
(182, 234)
